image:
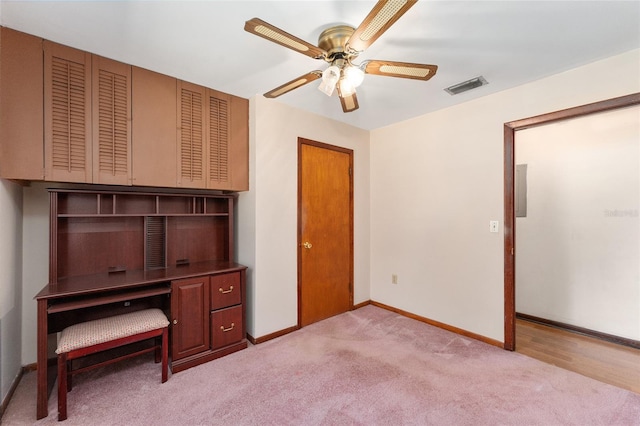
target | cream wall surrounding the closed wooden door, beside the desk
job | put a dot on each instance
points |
(268, 212)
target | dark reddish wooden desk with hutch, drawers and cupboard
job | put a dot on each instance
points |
(113, 250)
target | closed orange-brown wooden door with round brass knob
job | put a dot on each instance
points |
(325, 231)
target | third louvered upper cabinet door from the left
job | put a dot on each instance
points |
(192, 122)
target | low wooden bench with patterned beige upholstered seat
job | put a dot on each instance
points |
(95, 336)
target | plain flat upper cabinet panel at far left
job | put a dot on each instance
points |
(21, 95)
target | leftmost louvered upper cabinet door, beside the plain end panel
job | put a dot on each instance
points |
(67, 114)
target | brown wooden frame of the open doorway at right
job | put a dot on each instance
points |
(509, 194)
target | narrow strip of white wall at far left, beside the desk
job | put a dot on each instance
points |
(10, 284)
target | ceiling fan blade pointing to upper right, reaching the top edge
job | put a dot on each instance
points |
(384, 14)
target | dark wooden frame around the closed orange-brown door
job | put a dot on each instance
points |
(301, 142)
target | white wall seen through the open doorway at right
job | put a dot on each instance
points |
(578, 256)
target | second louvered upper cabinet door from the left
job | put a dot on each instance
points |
(111, 116)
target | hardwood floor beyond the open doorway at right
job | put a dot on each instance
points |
(608, 362)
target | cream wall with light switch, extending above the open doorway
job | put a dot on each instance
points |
(437, 181)
